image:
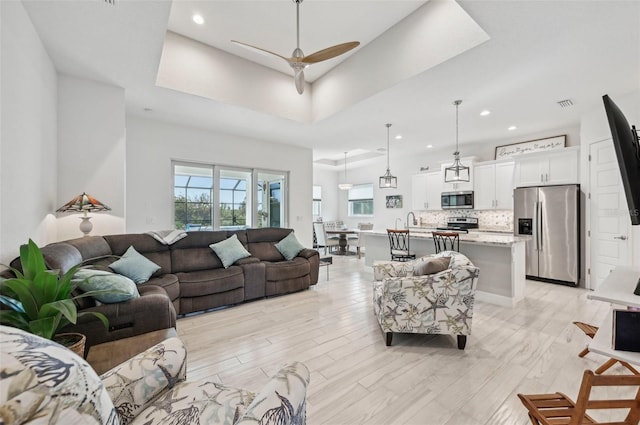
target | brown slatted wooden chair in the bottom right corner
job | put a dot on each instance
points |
(558, 409)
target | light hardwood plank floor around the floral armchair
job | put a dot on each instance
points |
(421, 379)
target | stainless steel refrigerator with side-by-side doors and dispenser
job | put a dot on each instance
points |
(551, 216)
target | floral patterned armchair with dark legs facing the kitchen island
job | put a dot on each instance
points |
(438, 303)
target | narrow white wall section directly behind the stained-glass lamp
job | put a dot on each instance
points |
(91, 153)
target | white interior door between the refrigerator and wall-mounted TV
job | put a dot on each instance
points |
(610, 224)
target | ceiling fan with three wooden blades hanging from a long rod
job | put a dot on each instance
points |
(298, 61)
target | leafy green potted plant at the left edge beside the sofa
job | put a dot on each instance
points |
(40, 300)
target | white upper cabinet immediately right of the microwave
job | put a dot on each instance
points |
(493, 185)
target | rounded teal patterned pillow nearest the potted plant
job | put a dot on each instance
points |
(117, 287)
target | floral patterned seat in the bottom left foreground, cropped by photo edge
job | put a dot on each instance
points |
(44, 383)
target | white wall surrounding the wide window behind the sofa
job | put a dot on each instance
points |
(152, 145)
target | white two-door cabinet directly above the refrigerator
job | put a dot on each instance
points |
(547, 168)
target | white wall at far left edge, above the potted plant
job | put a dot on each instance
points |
(27, 134)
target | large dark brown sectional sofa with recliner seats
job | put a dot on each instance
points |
(191, 277)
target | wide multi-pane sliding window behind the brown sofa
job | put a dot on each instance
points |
(208, 197)
